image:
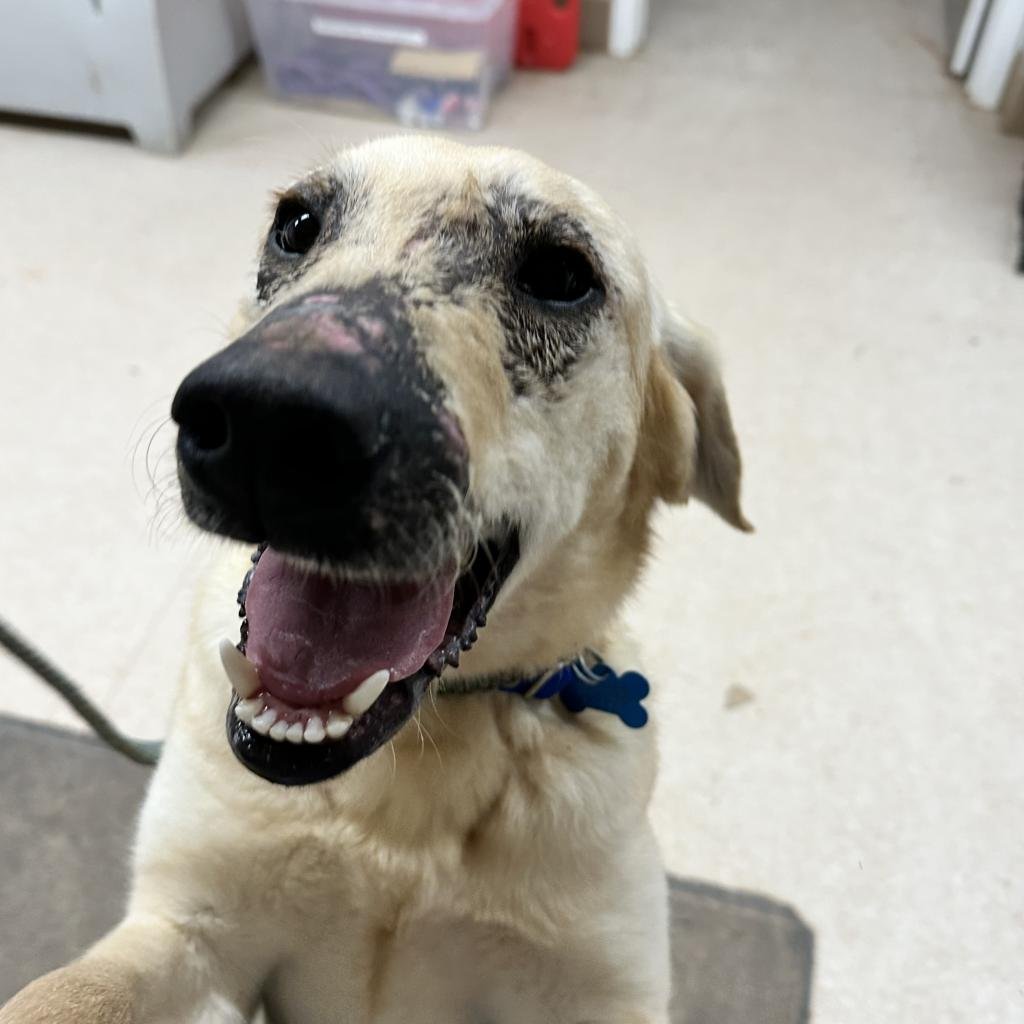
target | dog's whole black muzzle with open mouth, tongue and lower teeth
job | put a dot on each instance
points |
(323, 436)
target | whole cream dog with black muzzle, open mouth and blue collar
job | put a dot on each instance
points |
(453, 404)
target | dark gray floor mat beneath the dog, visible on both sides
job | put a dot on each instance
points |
(67, 808)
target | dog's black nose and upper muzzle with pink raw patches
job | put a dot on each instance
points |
(322, 433)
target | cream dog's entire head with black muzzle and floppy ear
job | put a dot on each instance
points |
(454, 389)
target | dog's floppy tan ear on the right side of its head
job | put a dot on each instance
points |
(689, 426)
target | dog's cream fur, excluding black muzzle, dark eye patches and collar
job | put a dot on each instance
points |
(494, 865)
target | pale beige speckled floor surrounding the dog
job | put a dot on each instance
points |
(804, 179)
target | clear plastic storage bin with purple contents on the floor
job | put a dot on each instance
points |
(431, 63)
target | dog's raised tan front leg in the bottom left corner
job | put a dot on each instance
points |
(149, 970)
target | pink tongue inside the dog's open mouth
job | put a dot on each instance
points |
(315, 639)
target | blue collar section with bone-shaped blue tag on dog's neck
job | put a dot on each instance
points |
(596, 686)
